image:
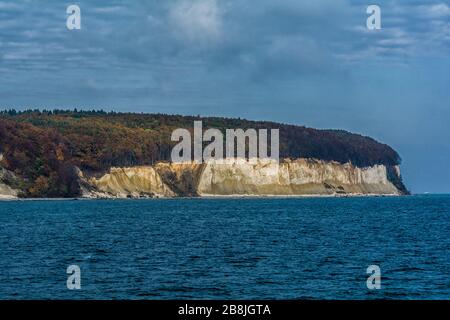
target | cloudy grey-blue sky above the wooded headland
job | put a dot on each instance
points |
(312, 63)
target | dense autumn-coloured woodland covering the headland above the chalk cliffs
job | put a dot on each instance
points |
(44, 147)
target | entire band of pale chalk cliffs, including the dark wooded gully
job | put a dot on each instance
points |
(242, 178)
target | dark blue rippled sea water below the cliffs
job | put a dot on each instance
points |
(226, 248)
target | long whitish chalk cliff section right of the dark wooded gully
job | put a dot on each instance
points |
(299, 177)
